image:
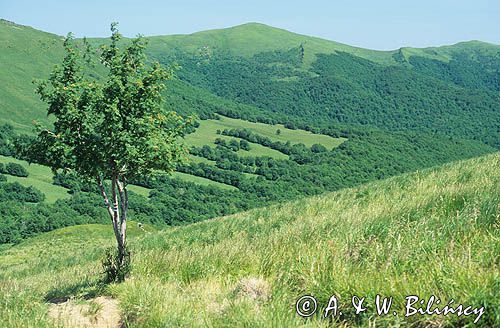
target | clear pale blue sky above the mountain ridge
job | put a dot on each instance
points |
(370, 24)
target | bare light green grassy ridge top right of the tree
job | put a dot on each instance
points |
(252, 38)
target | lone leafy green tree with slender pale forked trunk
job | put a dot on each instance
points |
(110, 128)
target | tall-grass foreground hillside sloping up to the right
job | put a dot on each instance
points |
(431, 232)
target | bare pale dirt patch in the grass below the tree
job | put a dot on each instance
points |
(100, 312)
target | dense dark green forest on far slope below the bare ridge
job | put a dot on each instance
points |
(458, 98)
